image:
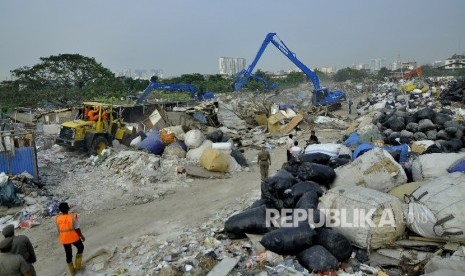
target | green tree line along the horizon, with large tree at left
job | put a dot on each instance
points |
(68, 79)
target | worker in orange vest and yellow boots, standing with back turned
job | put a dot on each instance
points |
(70, 234)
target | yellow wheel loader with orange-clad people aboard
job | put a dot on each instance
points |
(94, 128)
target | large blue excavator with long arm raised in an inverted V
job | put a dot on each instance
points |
(322, 96)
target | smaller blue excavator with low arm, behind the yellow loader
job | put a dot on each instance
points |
(154, 85)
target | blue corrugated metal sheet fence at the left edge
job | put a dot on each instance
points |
(23, 160)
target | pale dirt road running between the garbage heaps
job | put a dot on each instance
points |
(188, 206)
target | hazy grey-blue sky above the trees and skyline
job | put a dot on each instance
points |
(189, 36)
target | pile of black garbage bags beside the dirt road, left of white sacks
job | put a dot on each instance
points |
(298, 185)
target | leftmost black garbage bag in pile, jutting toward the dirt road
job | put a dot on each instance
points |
(251, 221)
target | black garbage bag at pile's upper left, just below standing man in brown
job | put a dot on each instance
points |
(273, 188)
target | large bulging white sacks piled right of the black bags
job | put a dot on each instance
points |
(432, 206)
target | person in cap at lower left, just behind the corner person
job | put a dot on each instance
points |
(21, 246)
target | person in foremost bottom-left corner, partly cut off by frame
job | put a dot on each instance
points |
(10, 263)
